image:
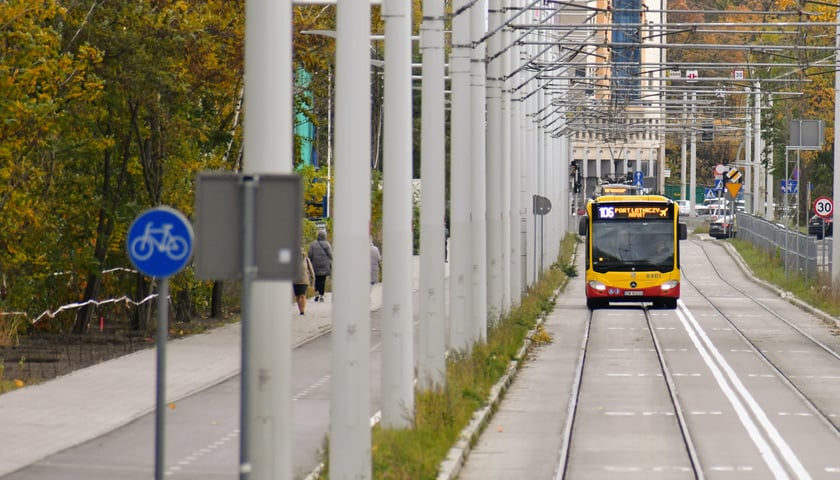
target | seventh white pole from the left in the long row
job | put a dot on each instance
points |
(493, 200)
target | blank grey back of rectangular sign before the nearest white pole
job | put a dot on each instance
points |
(220, 225)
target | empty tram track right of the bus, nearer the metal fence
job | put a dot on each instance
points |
(788, 379)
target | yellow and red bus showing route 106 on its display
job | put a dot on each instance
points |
(632, 250)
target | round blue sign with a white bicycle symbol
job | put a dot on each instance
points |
(160, 242)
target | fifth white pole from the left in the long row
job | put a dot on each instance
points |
(460, 244)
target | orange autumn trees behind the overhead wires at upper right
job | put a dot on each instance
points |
(807, 92)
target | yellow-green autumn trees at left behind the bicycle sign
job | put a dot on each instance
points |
(110, 108)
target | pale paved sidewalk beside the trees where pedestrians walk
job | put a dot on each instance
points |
(44, 419)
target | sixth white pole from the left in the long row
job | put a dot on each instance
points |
(478, 131)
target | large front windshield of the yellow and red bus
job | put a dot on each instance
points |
(633, 245)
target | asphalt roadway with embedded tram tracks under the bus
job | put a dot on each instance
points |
(737, 383)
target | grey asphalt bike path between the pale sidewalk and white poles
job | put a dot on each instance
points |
(202, 431)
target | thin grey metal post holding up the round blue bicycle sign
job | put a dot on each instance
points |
(160, 402)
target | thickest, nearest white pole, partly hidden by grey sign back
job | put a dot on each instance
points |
(266, 448)
